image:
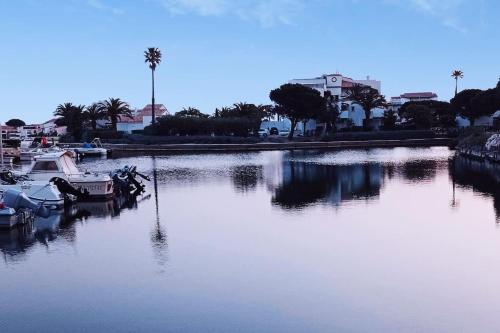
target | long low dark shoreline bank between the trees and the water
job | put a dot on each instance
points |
(141, 149)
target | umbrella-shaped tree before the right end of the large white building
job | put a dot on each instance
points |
(366, 97)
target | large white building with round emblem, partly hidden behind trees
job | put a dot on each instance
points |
(337, 84)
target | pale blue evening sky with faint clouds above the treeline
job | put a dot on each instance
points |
(217, 52)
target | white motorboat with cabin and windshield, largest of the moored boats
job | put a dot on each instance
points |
(48, 166)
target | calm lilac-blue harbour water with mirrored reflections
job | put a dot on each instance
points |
(381, 240)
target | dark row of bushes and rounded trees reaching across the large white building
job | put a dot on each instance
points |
(293, 101)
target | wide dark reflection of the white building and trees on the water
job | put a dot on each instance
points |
(299, 179)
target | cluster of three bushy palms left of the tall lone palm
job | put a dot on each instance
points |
(77, 117)
